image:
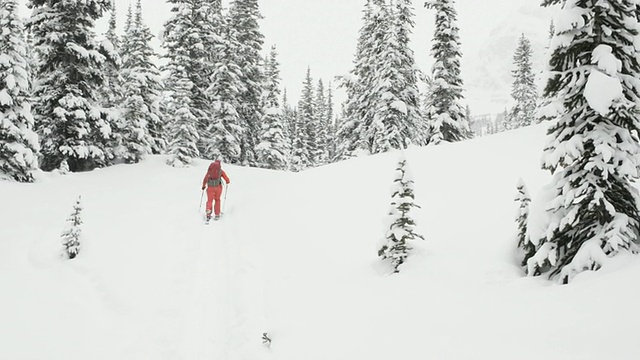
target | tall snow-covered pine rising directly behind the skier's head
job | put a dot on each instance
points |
(225, 131)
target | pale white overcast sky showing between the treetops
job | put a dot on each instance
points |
(322, 35)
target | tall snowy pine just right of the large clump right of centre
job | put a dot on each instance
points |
(446, 114)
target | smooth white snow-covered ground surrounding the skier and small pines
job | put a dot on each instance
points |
(295, 256)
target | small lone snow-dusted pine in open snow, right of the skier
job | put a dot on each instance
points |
(402, 227)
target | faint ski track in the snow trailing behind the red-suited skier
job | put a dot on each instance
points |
(225, 303)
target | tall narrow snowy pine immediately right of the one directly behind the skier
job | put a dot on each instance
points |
(244, 16)
